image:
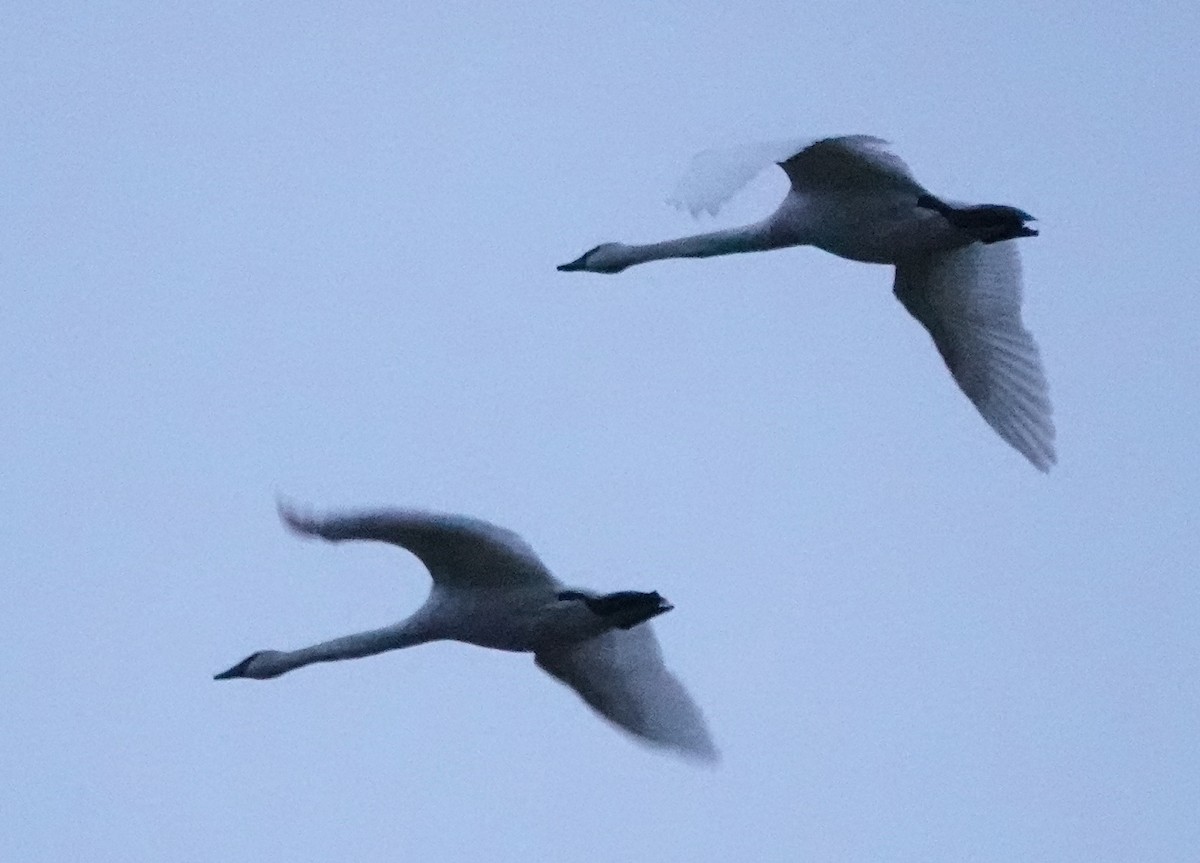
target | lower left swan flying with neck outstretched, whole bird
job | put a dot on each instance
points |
(491, 590)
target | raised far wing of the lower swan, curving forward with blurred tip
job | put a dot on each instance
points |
(458, 550)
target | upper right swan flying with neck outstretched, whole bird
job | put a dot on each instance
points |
(956, 273)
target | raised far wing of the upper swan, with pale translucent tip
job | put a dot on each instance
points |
(841, 164)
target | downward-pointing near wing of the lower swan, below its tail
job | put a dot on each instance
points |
(622, 678)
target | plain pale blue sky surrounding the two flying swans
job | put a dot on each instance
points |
(309, 249)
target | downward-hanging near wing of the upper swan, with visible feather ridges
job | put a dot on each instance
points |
(970, 301)
